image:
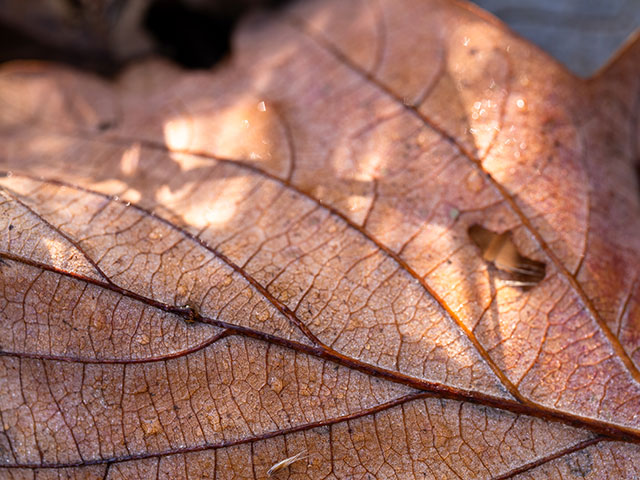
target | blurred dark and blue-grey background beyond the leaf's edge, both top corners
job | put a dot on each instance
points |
(104, 35)
